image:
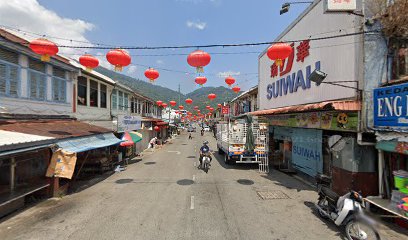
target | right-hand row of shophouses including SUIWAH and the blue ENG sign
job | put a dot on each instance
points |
(353, 126)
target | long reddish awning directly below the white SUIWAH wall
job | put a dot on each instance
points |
(327, 106)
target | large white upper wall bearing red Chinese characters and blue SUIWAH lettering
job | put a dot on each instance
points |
(340, 58)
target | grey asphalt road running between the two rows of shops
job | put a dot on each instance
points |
(165, 196)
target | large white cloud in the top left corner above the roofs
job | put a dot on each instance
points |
(29, 15)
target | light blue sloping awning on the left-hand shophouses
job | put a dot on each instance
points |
(83, 144)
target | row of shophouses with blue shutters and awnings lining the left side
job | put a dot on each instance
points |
(60, 105)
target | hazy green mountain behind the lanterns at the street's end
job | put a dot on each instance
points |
(156, 92)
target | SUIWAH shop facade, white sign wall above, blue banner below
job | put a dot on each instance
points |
(317, 128)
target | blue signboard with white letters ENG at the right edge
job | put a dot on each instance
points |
(391, 106)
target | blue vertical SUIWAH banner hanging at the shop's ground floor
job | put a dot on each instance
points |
(307, 151)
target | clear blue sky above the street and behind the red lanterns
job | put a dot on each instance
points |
(170, 22)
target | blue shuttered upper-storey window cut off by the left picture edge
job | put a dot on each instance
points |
(9, 73)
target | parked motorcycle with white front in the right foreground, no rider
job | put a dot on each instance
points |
(346, 210)
